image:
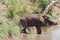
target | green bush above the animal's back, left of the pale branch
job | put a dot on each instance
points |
(40, 5)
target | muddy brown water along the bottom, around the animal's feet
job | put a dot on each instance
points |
(48, 33)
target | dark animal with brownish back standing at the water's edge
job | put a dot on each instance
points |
(37, 20)
